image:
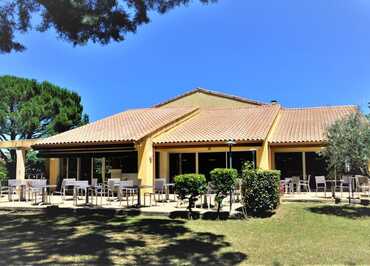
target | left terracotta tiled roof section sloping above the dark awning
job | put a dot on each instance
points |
(128, 126)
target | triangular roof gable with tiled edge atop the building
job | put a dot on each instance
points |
(203, 98)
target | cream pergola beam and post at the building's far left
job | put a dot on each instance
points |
(20, 146)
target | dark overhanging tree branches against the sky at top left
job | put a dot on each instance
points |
(78, 21)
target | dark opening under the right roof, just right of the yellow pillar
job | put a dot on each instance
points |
(289, 163)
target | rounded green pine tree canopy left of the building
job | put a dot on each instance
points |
(30, 109)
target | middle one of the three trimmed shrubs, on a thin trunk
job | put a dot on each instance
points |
(222, 182)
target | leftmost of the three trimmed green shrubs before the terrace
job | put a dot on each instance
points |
(190, 186)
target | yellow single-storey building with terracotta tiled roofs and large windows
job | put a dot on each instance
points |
(188, 134)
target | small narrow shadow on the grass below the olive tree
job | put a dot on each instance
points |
(342, 211)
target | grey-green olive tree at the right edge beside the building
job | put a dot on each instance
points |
(348, 140)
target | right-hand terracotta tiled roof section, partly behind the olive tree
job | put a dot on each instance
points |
(307, 125)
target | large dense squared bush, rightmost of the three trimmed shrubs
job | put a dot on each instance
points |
(260, 190)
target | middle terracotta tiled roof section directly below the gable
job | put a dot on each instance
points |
(219, 125)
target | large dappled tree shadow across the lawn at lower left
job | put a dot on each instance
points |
(105, 237)
